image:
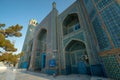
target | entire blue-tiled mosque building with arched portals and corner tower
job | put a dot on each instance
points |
(83, 39)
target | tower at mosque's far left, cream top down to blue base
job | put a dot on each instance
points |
(27, 46)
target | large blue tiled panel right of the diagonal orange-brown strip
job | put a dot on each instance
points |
(111, 17)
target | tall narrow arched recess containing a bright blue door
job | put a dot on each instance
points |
(41, 50)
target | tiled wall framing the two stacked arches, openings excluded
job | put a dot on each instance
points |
(81, 35)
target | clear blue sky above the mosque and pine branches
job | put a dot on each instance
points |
(14, 12)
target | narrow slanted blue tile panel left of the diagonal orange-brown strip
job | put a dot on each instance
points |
(102, 38)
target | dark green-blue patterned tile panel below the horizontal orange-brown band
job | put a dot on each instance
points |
(112, 67)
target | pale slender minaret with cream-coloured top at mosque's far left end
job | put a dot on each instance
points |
(28, 38)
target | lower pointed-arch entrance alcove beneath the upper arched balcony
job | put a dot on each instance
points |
(76, 57)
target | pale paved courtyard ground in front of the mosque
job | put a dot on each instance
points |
(10, 74)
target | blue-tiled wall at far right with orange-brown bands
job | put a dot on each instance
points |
(104, 17)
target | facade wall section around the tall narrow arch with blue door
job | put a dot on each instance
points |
(49, 24)
